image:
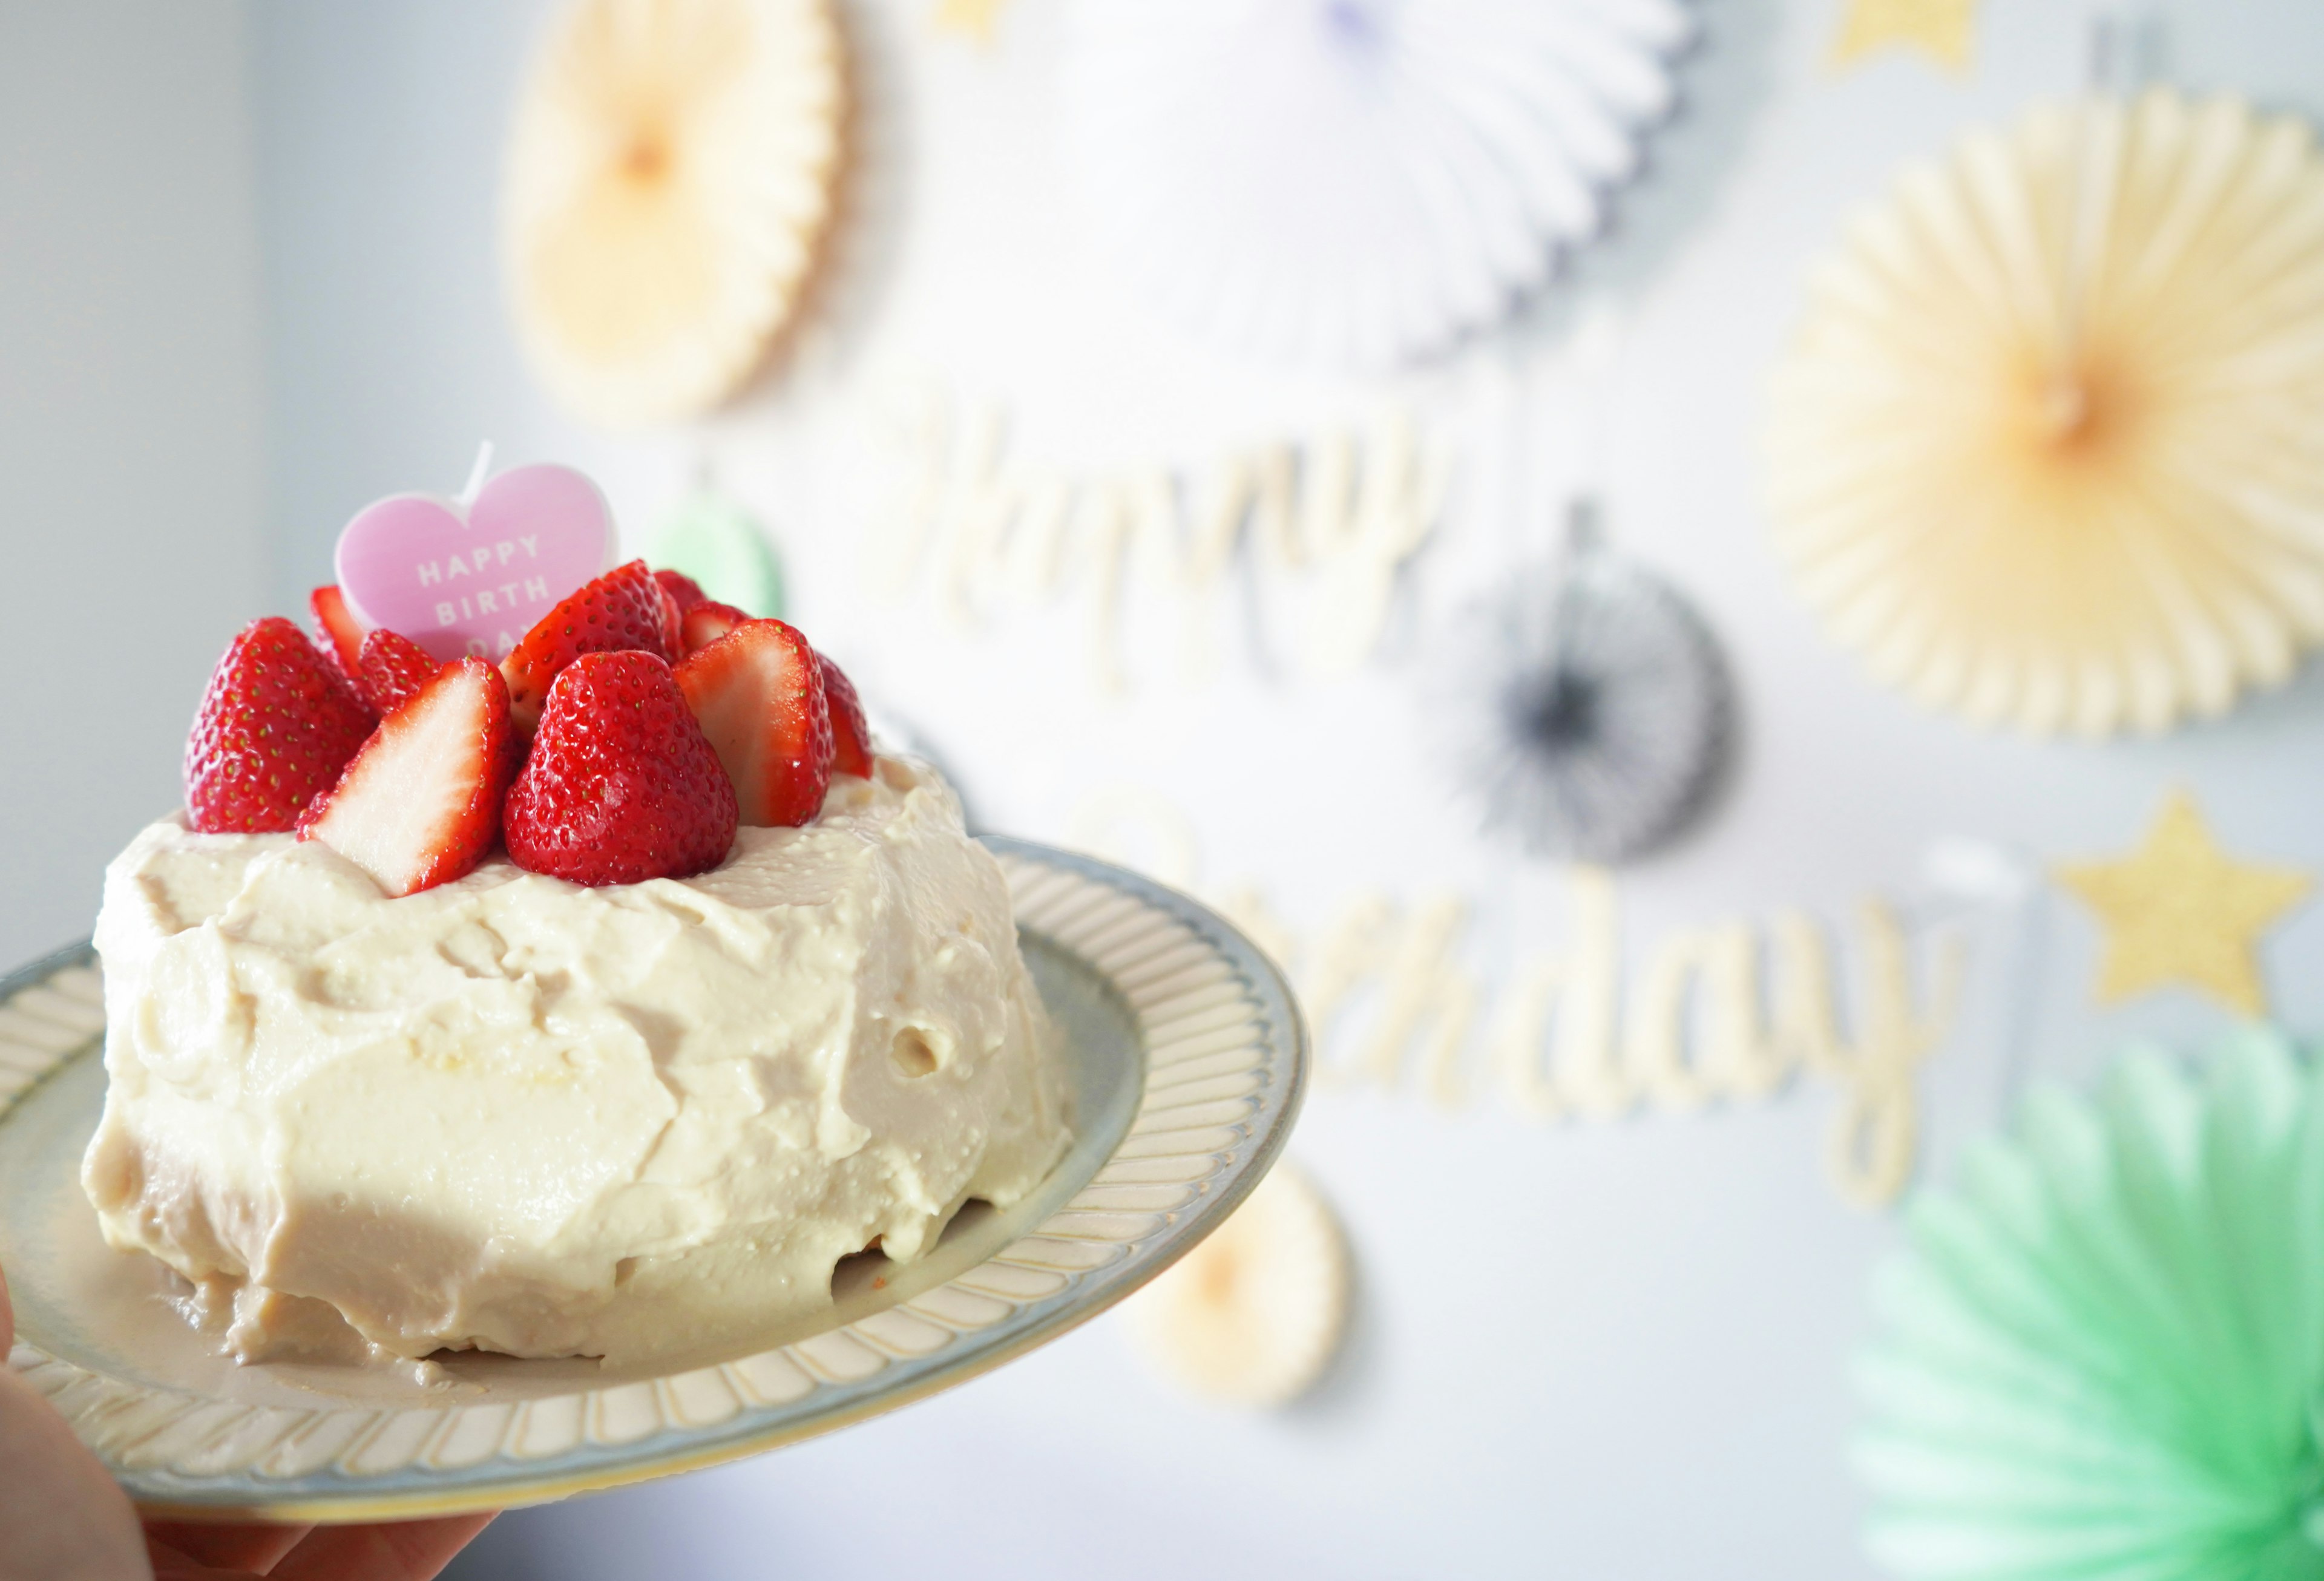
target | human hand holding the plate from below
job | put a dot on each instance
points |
(66, 1519)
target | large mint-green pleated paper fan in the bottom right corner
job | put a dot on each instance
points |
(2104, 1352)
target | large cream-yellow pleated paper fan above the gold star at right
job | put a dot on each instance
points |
(2046, 450)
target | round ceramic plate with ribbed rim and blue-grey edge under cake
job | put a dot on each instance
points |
(1186, 1059)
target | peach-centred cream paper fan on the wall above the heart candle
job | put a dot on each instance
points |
(670, 178)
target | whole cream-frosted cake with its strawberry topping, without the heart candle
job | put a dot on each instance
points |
(591, 1003)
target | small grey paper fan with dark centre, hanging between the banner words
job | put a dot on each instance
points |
(1588, 708)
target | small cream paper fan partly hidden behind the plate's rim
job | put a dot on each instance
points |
(1256, 1312)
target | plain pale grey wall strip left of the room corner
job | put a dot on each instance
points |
(129, 424)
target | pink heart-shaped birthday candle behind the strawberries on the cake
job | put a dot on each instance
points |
(475, 585)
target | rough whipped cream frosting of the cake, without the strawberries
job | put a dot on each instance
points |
(545, 1119)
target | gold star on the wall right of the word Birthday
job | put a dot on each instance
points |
(2181, 910)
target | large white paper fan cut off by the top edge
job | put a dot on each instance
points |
(1358, 183)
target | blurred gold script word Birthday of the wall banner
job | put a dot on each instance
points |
(1721, 1015)
